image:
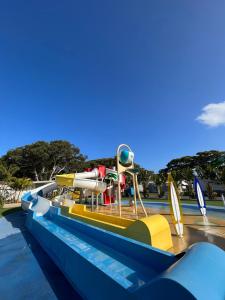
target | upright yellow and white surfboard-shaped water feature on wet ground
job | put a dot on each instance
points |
(175, 206)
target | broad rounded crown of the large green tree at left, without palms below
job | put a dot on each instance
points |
(43, 160)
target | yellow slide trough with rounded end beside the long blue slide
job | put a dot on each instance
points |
(153, 230)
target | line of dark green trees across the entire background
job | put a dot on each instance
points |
(44, 160)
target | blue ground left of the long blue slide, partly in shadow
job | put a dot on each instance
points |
(26, 271)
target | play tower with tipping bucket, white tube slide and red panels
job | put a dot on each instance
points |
(107, 182)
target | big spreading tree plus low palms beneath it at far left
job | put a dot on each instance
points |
(38, 161)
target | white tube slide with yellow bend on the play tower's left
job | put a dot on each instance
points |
(82, 180)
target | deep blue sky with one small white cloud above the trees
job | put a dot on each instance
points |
(100, 73)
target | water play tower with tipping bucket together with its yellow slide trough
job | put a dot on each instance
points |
(154, 230)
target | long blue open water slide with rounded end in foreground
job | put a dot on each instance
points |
(104, 265)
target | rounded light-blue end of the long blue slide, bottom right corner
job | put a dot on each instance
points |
(201, 271)
